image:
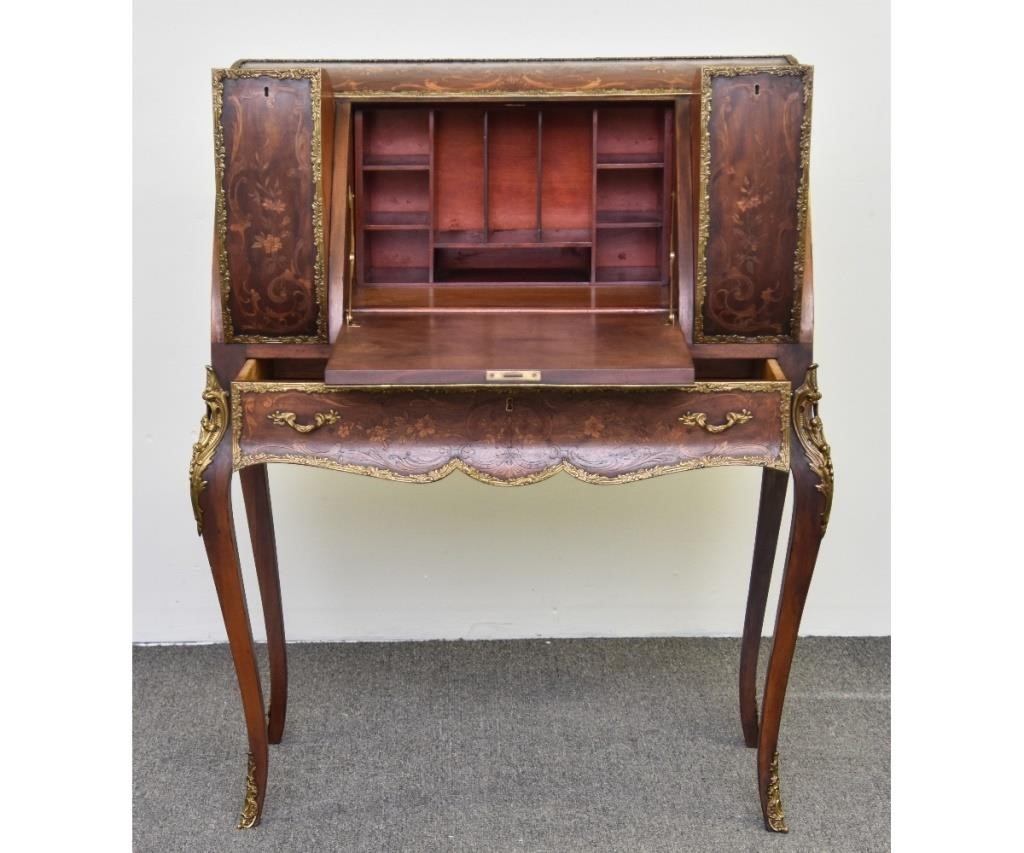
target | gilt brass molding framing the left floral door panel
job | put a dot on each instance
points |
(221, 217)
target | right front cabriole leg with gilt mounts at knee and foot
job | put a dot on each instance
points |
(814, 479)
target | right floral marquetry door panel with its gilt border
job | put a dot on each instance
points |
(753, 203)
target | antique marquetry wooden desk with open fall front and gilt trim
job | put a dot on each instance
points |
(511, 270)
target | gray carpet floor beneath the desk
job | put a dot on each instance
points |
(561, 746)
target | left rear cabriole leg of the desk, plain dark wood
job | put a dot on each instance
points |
(257, 493)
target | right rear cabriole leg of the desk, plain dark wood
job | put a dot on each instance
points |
(774, 487)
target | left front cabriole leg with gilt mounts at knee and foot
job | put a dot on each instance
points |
(210, 479)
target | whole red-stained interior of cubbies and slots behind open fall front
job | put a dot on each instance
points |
(519, 195)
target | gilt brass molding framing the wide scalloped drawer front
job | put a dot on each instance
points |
(780, 462)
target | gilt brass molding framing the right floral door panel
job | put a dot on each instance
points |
(708, 73)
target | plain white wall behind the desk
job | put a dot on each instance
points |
(369, 560)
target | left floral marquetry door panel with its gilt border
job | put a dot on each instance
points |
(270, 205)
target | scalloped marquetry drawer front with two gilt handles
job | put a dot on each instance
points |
(513, 437)
